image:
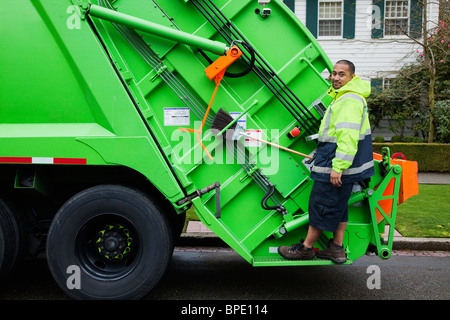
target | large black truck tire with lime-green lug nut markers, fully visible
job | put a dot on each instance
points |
(108, 242)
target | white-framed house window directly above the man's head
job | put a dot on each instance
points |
(330, 18)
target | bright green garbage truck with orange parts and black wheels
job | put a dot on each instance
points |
(117, 116)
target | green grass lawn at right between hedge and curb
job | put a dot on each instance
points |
(426, 214)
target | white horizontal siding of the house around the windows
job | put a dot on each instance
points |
(373, 58)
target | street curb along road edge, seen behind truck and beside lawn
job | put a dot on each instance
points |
(208, 239)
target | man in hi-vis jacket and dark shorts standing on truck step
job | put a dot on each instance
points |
(344, 156)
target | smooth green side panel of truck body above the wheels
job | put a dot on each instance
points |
(60, 88)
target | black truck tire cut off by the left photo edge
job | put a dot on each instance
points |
(10, 238)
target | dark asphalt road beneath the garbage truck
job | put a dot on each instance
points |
(221, 274)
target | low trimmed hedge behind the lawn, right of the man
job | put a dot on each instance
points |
(429, 156)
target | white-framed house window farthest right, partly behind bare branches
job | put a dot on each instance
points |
(396, 18)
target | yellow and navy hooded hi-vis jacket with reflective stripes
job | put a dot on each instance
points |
(345, 141)
